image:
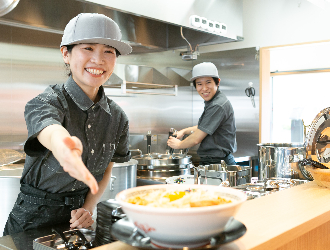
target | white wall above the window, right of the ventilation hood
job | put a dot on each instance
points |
(280, 22)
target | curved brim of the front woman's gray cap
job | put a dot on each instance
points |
(122, 47)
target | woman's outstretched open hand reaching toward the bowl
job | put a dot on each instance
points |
(73, 164)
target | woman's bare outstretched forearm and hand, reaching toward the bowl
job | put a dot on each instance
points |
(67, 150)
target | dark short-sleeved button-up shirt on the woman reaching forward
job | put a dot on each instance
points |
(101, 127)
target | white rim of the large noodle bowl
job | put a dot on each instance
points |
(130, 206)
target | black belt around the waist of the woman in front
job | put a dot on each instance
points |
(36, 196)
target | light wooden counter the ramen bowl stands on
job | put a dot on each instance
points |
(296, 218)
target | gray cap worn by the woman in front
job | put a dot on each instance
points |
(94, 28)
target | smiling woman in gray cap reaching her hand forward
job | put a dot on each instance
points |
(73, 139)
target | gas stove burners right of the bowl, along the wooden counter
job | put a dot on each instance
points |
(261, 188)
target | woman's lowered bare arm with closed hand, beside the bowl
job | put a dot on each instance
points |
(82, 217)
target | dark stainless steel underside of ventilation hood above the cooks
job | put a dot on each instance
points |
(41, 23)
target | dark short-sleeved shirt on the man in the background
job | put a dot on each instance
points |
(218, 121)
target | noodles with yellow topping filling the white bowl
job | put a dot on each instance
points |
(177, 199)
